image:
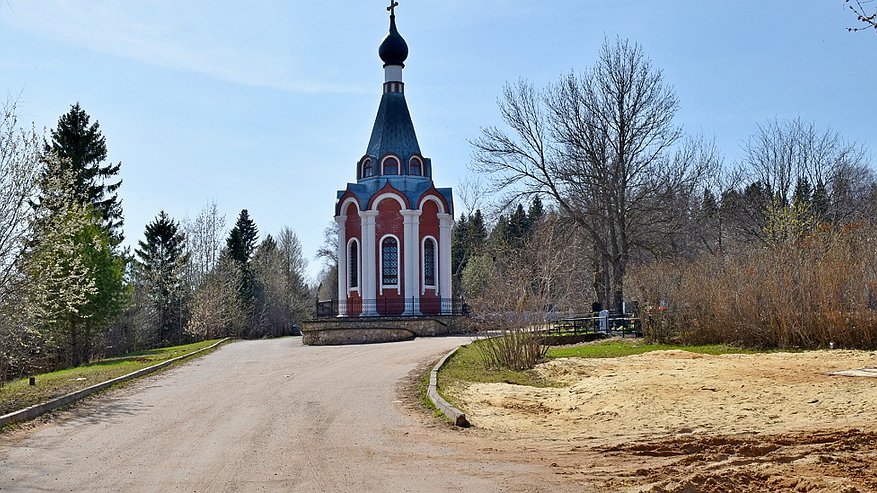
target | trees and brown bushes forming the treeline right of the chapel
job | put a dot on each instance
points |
(774, 250)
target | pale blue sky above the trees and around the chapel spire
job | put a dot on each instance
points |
(267, 105)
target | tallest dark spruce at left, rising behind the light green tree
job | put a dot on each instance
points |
(81, 149)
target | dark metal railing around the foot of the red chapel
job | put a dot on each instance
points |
(391, 307)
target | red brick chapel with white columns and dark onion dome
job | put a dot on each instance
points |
(394, 225)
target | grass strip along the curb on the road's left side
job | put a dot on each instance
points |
(18, 394)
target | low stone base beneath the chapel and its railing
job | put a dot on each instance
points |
(337, 331)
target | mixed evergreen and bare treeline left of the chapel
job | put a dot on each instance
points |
(69, 290)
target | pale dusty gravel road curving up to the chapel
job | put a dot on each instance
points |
(266, 416)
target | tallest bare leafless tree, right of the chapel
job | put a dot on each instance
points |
(598, 143)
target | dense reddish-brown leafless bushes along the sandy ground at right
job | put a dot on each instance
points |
(807, 292)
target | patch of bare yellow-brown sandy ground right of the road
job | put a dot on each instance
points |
(682, 422)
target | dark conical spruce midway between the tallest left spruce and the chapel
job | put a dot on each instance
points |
(161, 267)
